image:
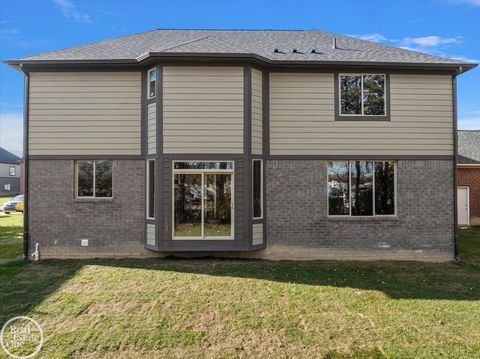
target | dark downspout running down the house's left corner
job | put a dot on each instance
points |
(25, 156)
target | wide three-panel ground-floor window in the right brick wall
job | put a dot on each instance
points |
(361, 188)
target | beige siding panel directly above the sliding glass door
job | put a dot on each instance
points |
(202, 109)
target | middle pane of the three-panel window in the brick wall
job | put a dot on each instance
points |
(362, 188)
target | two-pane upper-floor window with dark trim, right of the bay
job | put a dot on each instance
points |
(362, 95)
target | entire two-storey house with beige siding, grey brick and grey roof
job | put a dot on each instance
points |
(270, 144)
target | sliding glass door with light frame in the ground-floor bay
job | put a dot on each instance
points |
(203, 200)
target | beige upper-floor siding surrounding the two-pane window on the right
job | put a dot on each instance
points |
(302, 120)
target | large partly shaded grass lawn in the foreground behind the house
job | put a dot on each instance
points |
(206, 308)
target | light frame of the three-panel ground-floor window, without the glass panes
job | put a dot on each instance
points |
(349, 215)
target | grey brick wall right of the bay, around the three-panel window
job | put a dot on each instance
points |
(297, 212)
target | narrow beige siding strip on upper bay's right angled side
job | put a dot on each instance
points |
(257, 115)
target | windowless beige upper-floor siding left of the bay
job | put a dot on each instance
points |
(85, 113)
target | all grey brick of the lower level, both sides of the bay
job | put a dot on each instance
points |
(296, 215)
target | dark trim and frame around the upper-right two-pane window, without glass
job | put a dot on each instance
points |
(350, 117)
